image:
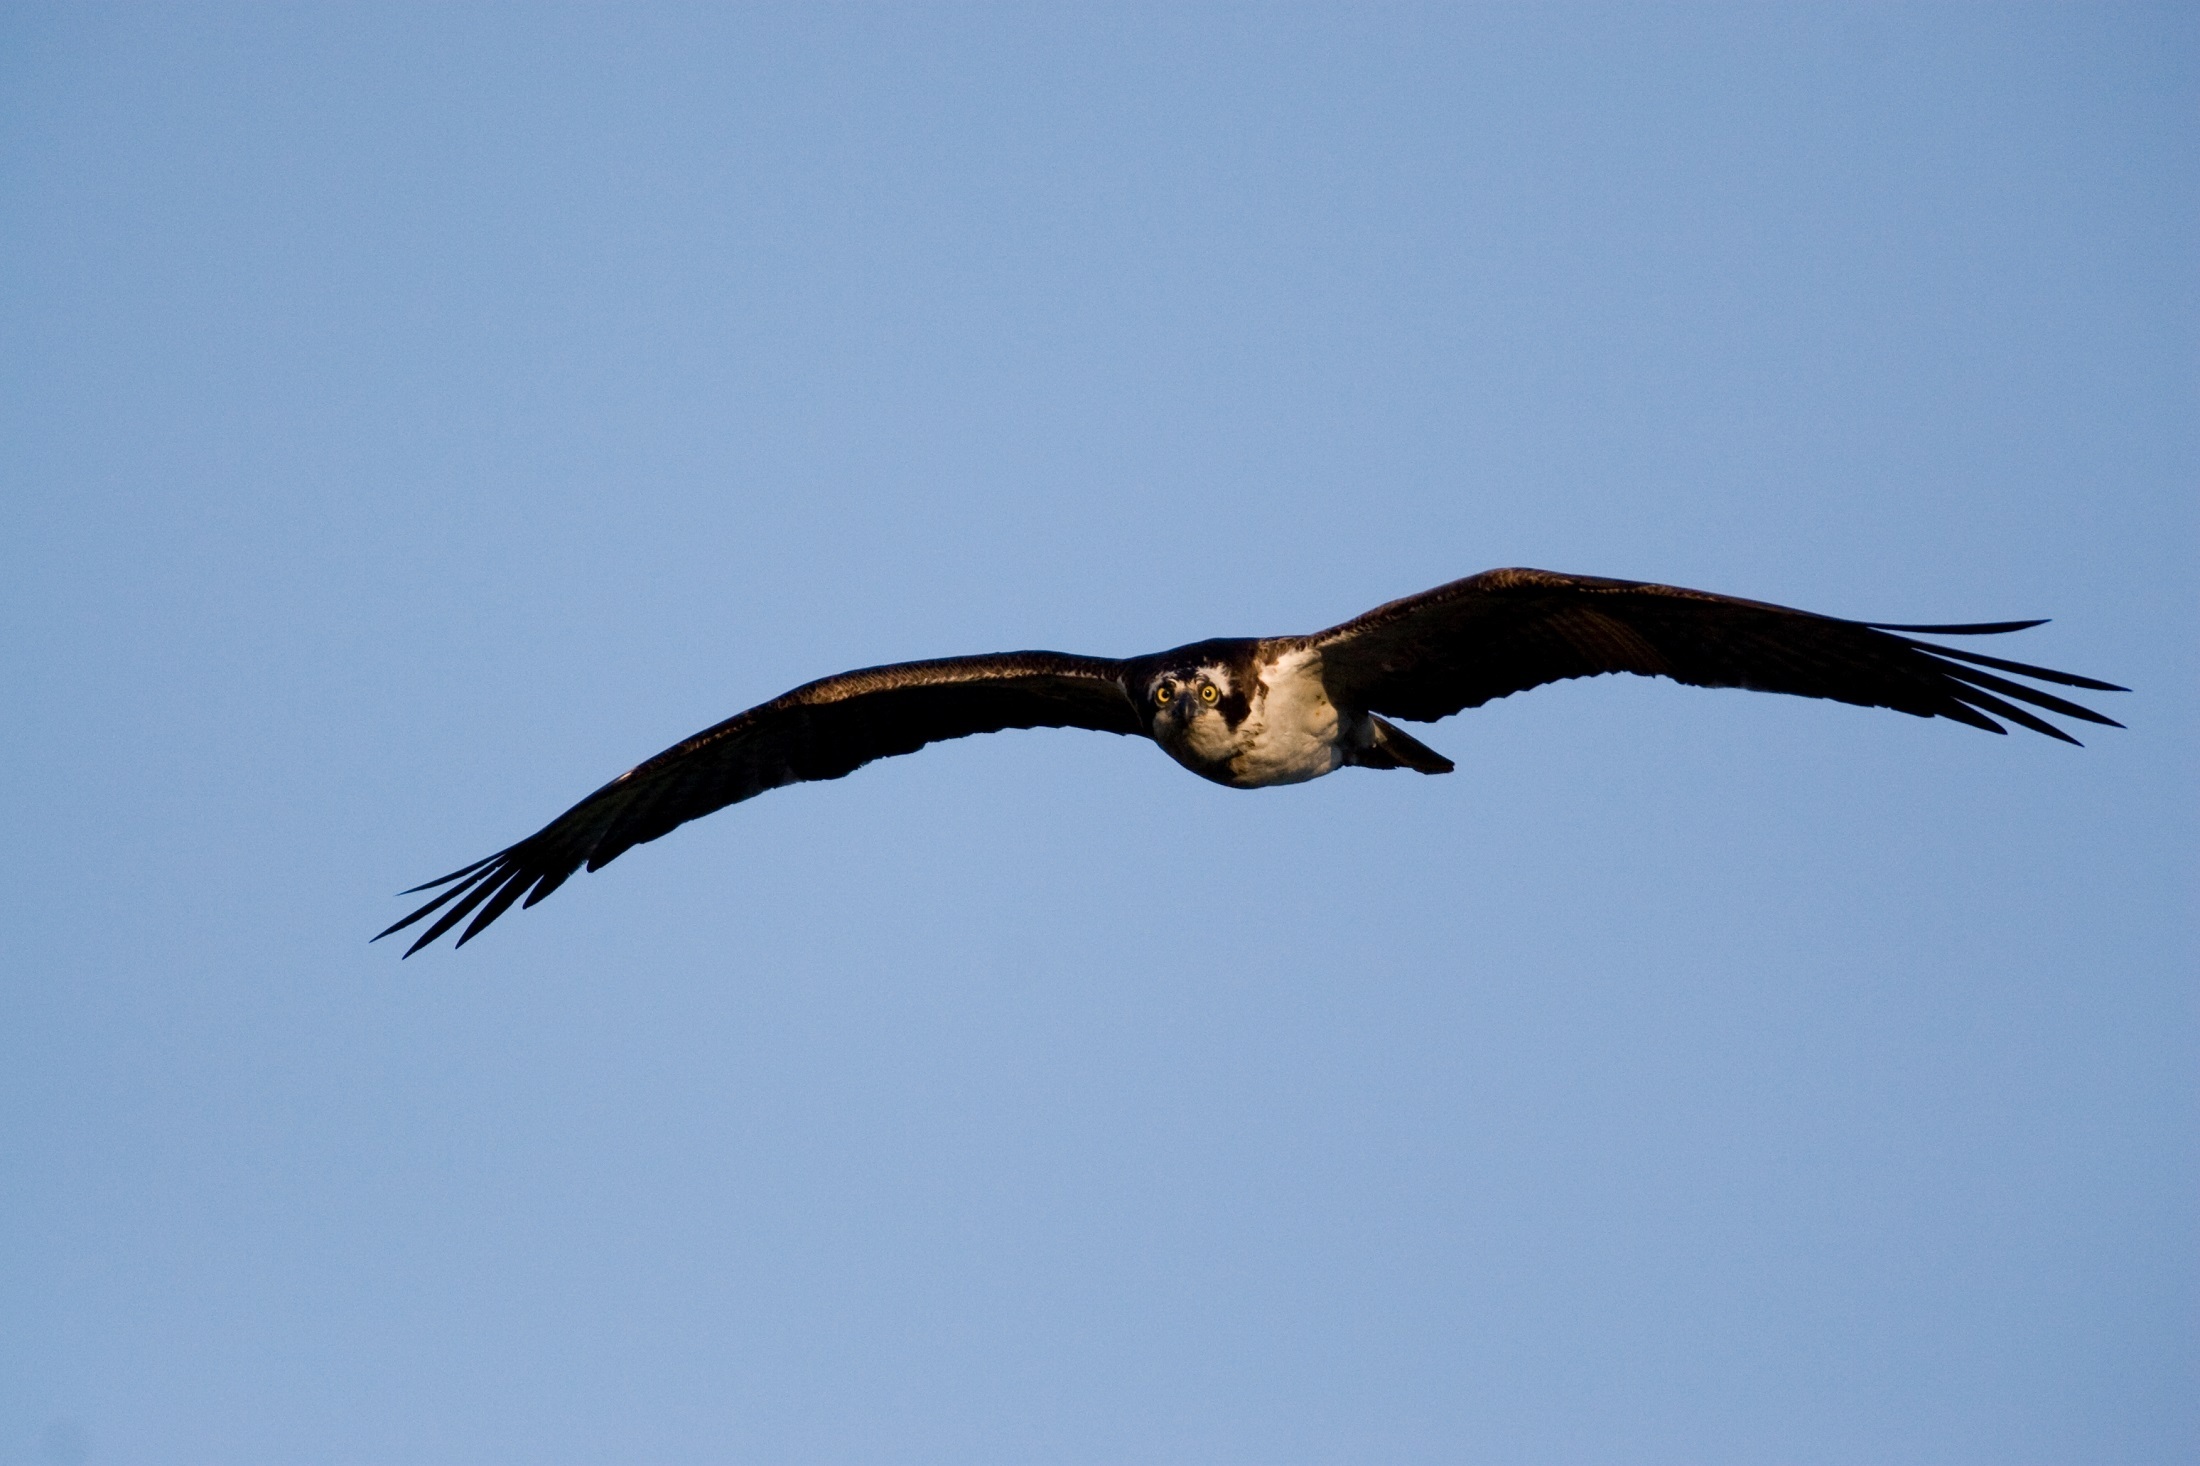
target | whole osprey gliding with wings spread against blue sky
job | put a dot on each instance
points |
(1273, 710)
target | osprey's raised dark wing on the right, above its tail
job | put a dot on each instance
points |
(1508, 631)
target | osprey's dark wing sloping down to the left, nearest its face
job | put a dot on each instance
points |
(819, 732)
